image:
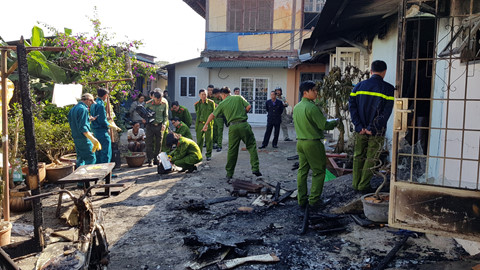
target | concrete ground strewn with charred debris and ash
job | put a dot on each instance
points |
(147, 225)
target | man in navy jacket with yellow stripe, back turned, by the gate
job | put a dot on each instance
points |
(370, 105)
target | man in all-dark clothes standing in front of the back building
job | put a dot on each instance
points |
(274, 118)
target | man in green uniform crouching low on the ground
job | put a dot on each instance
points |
(186, 154)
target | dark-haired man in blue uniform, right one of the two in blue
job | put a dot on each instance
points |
(100, 127)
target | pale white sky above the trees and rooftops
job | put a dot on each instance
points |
(170, 30)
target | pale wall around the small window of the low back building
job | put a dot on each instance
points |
(190, 68)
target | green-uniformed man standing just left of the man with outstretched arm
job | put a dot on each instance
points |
(203, 108)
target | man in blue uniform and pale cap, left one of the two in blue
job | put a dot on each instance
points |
(85, 143)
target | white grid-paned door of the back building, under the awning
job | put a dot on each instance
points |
(256, 92)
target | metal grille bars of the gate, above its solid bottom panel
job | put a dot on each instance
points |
(439, 77)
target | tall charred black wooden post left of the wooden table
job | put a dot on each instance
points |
(31, 152)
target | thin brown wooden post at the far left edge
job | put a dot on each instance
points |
(6, 188)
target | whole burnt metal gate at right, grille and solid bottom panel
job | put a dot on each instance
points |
(436, 141)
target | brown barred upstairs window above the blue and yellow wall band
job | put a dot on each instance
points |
(249, 15)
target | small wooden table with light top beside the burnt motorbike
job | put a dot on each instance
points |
(86, 174)
